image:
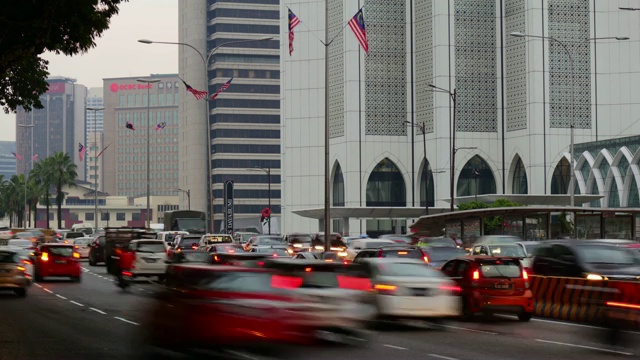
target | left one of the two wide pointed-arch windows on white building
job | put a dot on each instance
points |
(385, 186)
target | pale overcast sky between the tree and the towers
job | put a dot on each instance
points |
(118, 53)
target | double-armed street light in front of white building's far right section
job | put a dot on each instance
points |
(572, 120)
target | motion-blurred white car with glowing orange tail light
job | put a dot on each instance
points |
(407, 288)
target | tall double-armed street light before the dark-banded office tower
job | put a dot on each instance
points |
(205, 62)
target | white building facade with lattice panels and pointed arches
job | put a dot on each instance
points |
(514, 101)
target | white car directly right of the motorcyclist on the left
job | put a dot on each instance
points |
(150, 257)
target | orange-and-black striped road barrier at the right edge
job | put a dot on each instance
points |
(582, 300)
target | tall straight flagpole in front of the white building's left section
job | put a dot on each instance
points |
(327, 188)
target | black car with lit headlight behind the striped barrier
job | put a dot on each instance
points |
(592, 260)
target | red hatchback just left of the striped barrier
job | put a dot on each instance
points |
(492, 285)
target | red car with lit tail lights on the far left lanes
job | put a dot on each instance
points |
(56, 260)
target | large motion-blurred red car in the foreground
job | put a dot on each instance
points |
(205, 307)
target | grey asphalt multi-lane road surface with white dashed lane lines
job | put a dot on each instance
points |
(96, 320)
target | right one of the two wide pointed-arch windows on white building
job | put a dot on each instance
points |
(476, 178)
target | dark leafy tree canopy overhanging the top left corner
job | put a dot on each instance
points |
(29, 28)
